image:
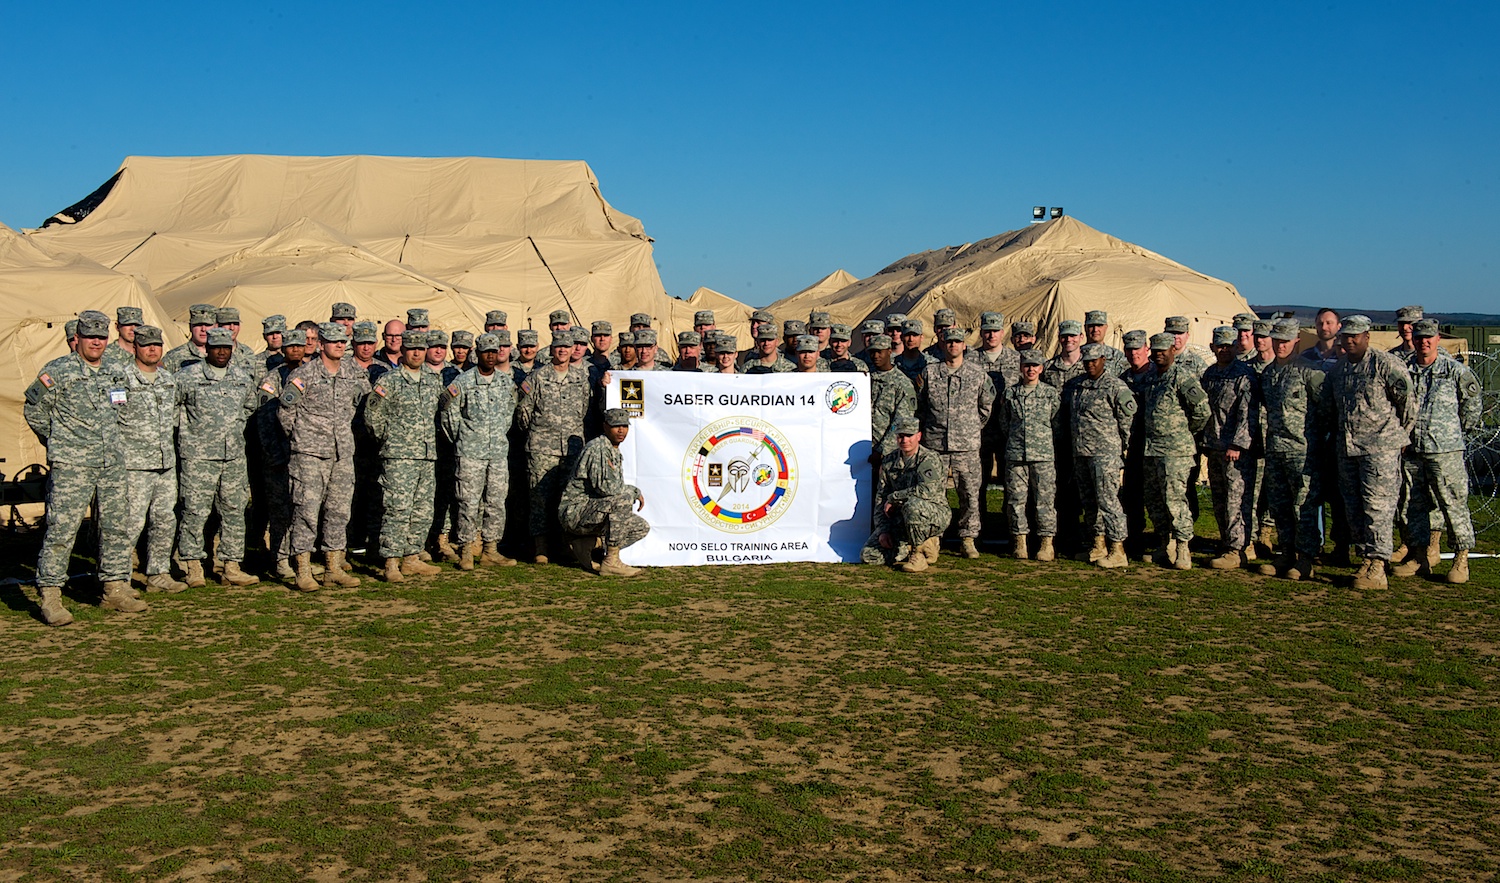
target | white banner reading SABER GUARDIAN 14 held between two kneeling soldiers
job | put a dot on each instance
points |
(748, 468)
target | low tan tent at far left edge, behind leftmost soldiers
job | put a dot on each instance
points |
(40, 292)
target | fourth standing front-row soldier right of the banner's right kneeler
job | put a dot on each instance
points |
(1174, 410)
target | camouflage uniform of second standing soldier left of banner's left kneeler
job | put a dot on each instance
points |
(476, 415)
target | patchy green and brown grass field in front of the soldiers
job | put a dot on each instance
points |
(982, 720)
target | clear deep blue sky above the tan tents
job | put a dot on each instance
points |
(1307, 152)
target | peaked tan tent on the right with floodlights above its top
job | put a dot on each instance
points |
(1043, 274)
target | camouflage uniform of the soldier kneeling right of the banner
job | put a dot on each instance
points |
(916, 486)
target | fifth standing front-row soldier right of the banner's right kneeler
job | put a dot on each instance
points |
(1229, 444)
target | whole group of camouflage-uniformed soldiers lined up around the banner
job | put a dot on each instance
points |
(406, 440)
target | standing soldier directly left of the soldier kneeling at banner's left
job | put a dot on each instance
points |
(554, 404)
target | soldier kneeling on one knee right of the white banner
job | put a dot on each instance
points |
(911, 504)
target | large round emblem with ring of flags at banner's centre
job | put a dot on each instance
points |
(740, 474)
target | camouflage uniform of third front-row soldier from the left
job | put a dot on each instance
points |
(214, 407)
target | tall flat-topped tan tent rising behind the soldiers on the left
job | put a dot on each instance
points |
(499, 232)
